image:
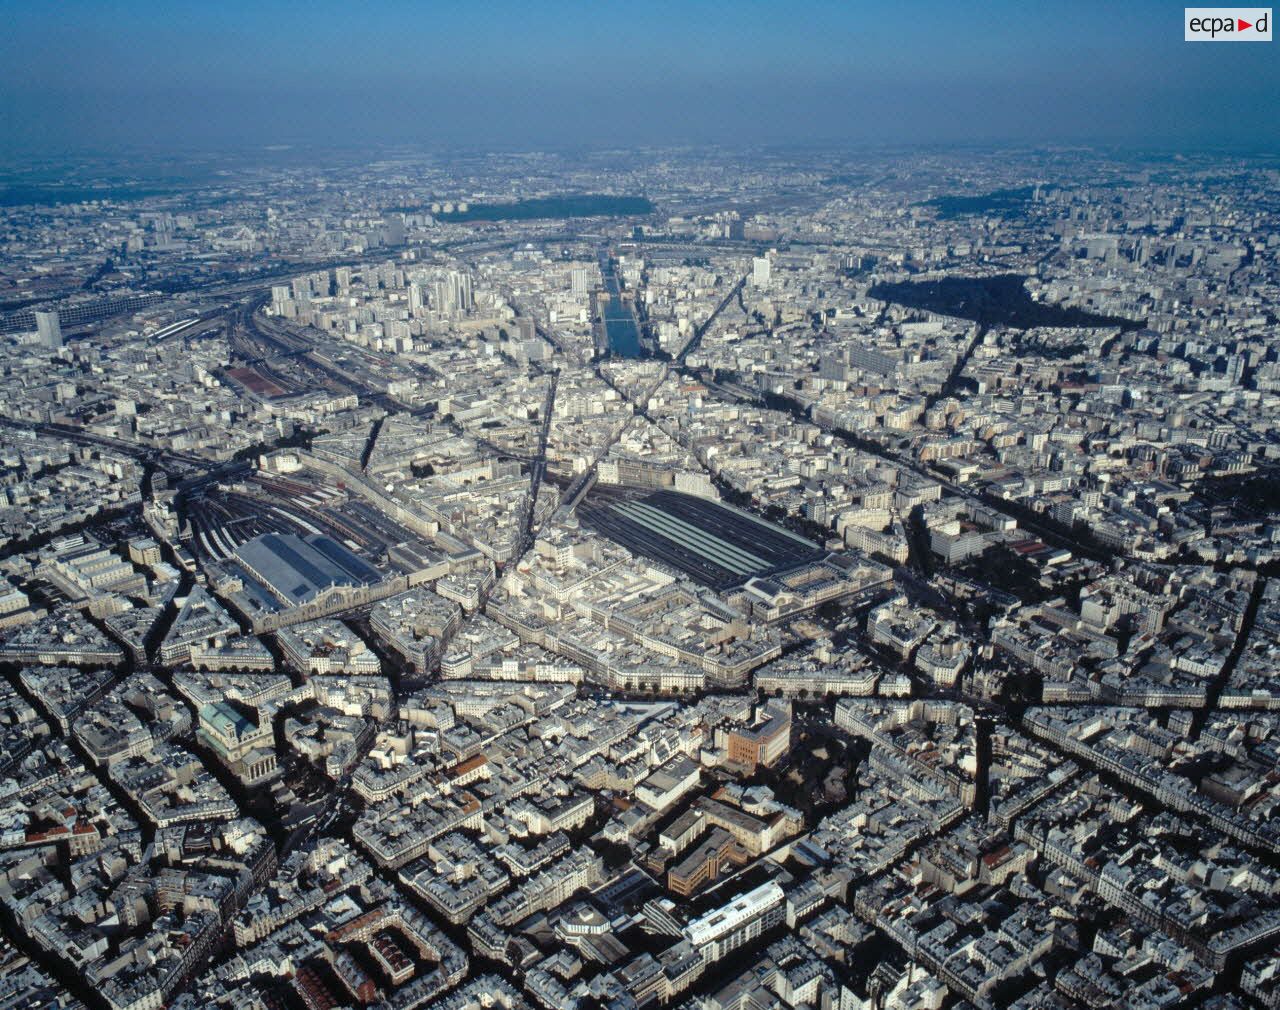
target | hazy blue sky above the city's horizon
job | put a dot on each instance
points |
(217, 75)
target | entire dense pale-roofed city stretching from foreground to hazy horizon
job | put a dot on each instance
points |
(684, 579)
